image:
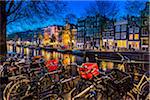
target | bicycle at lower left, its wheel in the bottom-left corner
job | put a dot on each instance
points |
(38, 87)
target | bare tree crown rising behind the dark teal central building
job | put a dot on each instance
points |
(107, 9)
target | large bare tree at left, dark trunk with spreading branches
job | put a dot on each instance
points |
(26, 11)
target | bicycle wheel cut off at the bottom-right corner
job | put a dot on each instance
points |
(144, 90)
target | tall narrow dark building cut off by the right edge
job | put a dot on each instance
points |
(145, 16)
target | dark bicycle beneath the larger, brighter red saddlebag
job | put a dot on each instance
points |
(98, 87)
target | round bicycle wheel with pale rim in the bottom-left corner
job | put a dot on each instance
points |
(18, 89)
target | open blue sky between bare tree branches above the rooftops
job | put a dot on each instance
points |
(76, 7)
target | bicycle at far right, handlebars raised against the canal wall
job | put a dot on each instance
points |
(138, 91)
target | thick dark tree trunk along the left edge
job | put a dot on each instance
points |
(3, 20)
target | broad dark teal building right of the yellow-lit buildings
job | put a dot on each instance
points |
(88, 33)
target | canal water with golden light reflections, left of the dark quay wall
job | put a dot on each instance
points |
(68, 58)
